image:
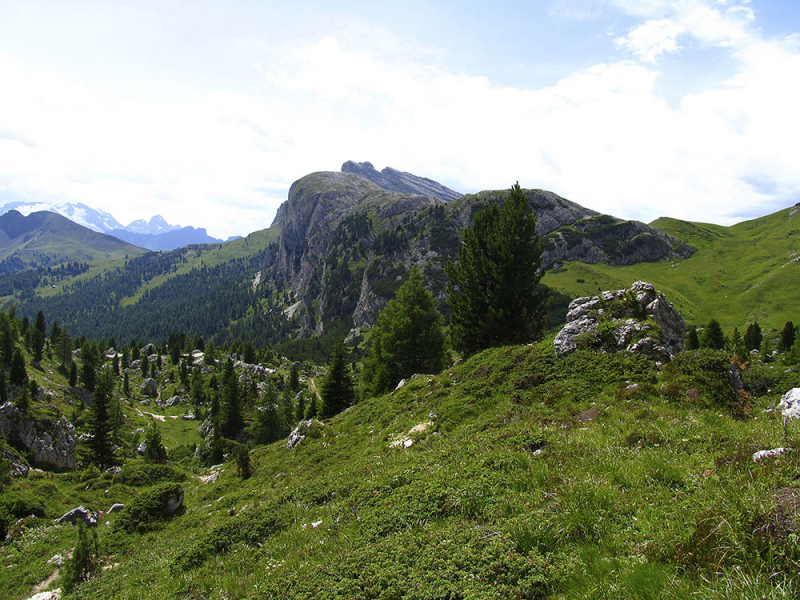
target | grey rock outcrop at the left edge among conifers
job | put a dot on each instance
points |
(51, 445)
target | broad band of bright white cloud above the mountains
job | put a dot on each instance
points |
(601, 136)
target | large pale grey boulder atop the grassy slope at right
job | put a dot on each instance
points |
(634, 319)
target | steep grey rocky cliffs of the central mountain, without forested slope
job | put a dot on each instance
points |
(347, 242)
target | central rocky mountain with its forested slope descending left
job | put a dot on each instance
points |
(338, 250)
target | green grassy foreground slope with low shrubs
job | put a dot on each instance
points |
(512, 475)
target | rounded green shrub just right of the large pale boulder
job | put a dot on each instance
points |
(707, 371)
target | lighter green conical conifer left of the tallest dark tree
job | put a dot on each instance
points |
(406, 339)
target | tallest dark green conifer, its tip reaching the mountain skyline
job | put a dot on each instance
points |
(492, 289)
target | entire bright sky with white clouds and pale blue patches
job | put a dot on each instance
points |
(206, 112)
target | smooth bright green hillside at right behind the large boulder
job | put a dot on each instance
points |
(738, 275)
